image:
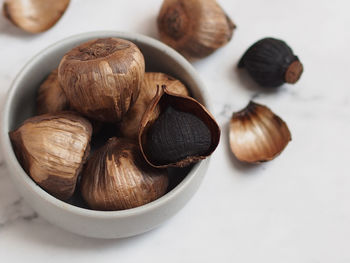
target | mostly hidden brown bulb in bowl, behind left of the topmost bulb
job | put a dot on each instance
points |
(51, 98)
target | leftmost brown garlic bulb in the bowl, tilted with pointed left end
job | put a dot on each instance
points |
(52, 149)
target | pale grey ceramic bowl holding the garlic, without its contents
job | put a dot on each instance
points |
(20, 105)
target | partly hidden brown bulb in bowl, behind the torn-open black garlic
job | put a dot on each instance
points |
(131, 122)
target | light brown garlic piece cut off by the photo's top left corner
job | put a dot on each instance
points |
(34, 16)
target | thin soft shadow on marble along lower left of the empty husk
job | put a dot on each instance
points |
(244, 167)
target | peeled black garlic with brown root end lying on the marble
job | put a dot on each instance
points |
(271, 63)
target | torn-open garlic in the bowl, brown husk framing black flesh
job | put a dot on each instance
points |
(176, 131)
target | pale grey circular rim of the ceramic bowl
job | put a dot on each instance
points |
(9, 155)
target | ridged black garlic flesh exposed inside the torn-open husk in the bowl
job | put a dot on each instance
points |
(176, 135)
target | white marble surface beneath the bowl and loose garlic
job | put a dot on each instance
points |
(293, 209)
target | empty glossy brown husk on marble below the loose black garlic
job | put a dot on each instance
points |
(257, 134)
